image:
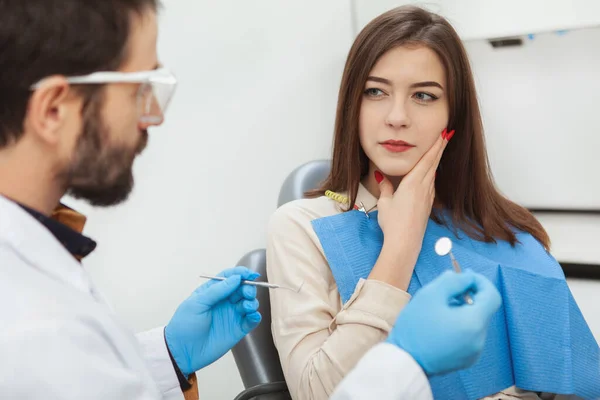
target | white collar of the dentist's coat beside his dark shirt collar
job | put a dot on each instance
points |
(38, 247)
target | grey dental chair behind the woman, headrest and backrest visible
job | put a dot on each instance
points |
(256, 357)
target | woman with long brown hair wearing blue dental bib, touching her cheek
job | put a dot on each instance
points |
(409, 166)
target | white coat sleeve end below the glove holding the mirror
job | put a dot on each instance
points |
(385, 373)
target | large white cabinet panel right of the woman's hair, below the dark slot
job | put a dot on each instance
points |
(539, 104)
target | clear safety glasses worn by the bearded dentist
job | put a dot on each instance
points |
(154, 94)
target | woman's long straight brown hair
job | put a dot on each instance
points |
(464, 183)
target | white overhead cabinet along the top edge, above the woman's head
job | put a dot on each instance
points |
(480, 19)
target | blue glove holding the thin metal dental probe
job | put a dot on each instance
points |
(213, 320)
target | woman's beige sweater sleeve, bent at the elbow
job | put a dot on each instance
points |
(319, 340)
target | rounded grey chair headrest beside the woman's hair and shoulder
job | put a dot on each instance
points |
(306, 177)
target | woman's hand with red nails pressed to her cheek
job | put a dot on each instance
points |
(403, 214)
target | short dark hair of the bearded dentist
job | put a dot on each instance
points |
(41, 38)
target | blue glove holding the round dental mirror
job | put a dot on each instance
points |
(441, 335)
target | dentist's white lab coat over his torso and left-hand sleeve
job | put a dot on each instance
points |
(58, 337)
